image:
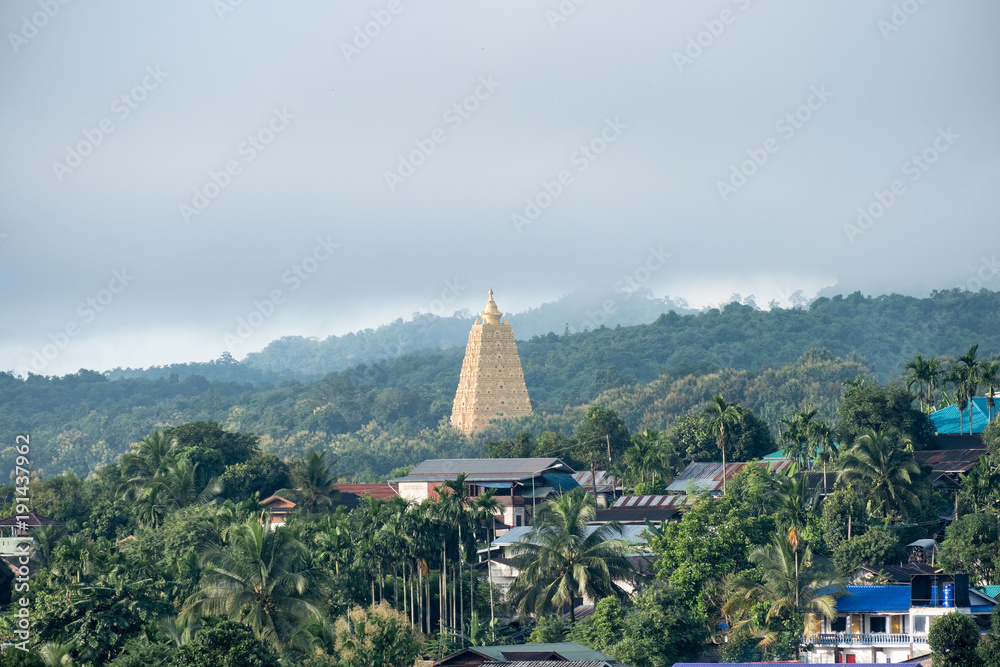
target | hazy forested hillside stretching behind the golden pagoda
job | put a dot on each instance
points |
(379, 416)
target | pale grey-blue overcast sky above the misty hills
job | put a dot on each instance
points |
(167, 169)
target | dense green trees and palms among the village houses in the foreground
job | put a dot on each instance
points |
(163, 560)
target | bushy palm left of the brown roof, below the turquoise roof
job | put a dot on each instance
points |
(885, 472)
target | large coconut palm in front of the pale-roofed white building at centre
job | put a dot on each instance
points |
(562, 557)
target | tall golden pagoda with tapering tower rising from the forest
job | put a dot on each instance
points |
(492, 382)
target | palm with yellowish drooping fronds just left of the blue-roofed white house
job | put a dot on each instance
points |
(787, 589)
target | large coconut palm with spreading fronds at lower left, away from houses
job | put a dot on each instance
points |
(261, 579)
